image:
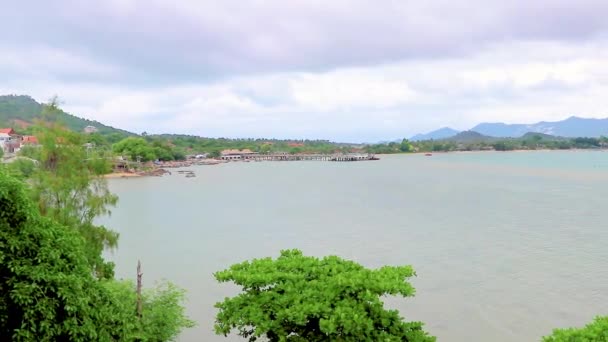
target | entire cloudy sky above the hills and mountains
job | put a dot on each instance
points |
(343, 70)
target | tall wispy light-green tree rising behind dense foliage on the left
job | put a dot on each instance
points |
(69, 187)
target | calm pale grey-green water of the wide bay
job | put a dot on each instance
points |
(506, 245)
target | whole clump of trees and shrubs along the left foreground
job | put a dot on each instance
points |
(54, 283)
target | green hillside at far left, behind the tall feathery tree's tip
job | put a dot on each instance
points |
(20, 111)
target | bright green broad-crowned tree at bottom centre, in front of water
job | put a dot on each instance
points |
(300, 298)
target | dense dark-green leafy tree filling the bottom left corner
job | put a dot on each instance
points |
(47, 292)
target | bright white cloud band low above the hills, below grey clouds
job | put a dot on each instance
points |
(514, 82)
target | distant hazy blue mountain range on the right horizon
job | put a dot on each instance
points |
(571, 127)
